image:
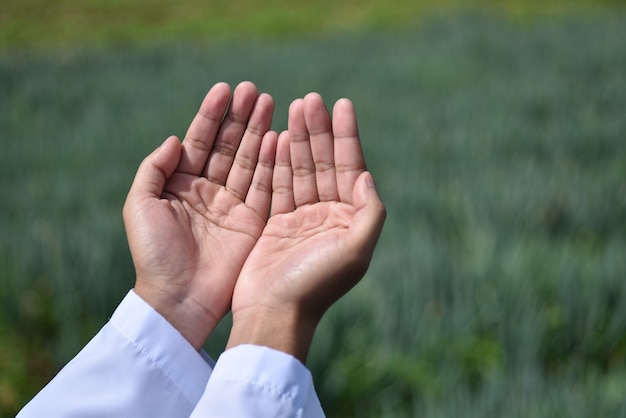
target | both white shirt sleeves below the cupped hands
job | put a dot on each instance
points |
(138, 365)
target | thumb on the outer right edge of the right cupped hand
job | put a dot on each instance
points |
(370, 214)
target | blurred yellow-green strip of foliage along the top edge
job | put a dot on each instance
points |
(37, 23)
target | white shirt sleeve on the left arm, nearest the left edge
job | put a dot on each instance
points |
(138, 365)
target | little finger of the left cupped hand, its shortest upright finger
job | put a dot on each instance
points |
(260, 194)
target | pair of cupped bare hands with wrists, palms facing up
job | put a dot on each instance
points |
(198, 228)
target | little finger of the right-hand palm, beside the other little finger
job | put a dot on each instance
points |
(282, 181)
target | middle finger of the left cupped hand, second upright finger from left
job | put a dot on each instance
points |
(231, 133)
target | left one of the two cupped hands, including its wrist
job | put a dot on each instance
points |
(196, 209)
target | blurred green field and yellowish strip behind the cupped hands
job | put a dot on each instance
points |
(495, 129)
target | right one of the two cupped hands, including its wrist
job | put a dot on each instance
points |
(326, 217)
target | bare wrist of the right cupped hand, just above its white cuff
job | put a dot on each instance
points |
(286, 330)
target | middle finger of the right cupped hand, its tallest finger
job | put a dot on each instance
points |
(320, 130)
